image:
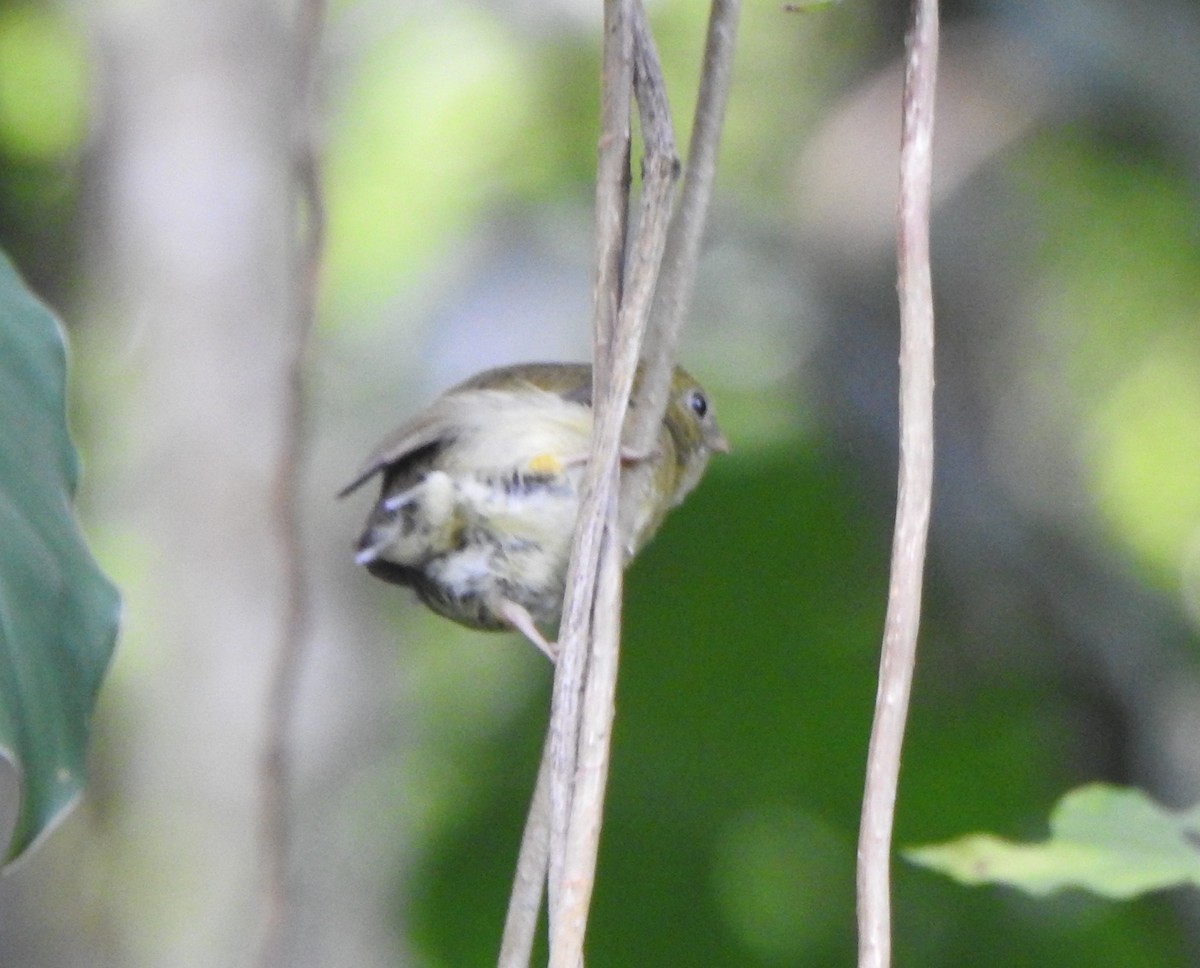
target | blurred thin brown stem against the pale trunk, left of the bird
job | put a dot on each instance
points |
(309, 241)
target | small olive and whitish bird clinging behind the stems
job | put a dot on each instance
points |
(482, 492)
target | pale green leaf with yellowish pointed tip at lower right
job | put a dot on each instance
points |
(1112, 841)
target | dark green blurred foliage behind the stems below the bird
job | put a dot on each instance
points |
(748, 681)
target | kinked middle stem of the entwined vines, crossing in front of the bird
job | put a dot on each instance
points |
(593, 597)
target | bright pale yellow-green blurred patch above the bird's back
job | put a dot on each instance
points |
(434, 127)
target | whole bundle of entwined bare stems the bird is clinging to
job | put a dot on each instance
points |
(581, 759)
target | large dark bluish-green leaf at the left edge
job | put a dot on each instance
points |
(58, 612)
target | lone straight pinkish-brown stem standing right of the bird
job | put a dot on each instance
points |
(915, 490)
